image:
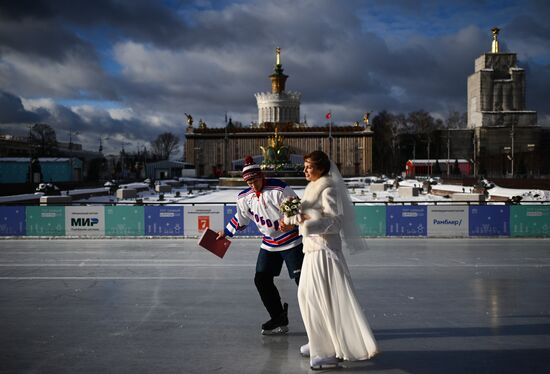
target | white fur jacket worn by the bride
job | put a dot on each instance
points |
(322, 230)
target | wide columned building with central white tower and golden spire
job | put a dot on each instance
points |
(217, 151)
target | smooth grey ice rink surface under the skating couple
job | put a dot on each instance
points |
(167, 306)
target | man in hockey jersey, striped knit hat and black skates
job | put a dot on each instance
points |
(260, 203)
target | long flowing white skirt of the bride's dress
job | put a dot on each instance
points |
(334, 321)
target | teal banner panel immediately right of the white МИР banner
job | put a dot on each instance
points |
(124, 220)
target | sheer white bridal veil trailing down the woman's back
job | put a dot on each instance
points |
(351, 234)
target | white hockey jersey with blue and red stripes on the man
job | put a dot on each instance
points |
(263, 209)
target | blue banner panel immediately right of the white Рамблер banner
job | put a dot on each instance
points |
(489, 220)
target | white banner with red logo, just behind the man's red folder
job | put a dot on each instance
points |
(199, 217)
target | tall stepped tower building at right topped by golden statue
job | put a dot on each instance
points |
(506, 136)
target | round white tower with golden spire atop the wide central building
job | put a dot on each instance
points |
(279, 106)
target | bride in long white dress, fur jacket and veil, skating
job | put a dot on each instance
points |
(335, 323)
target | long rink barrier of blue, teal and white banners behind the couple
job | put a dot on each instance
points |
(189, 220)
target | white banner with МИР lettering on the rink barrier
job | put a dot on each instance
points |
(84, 221)
